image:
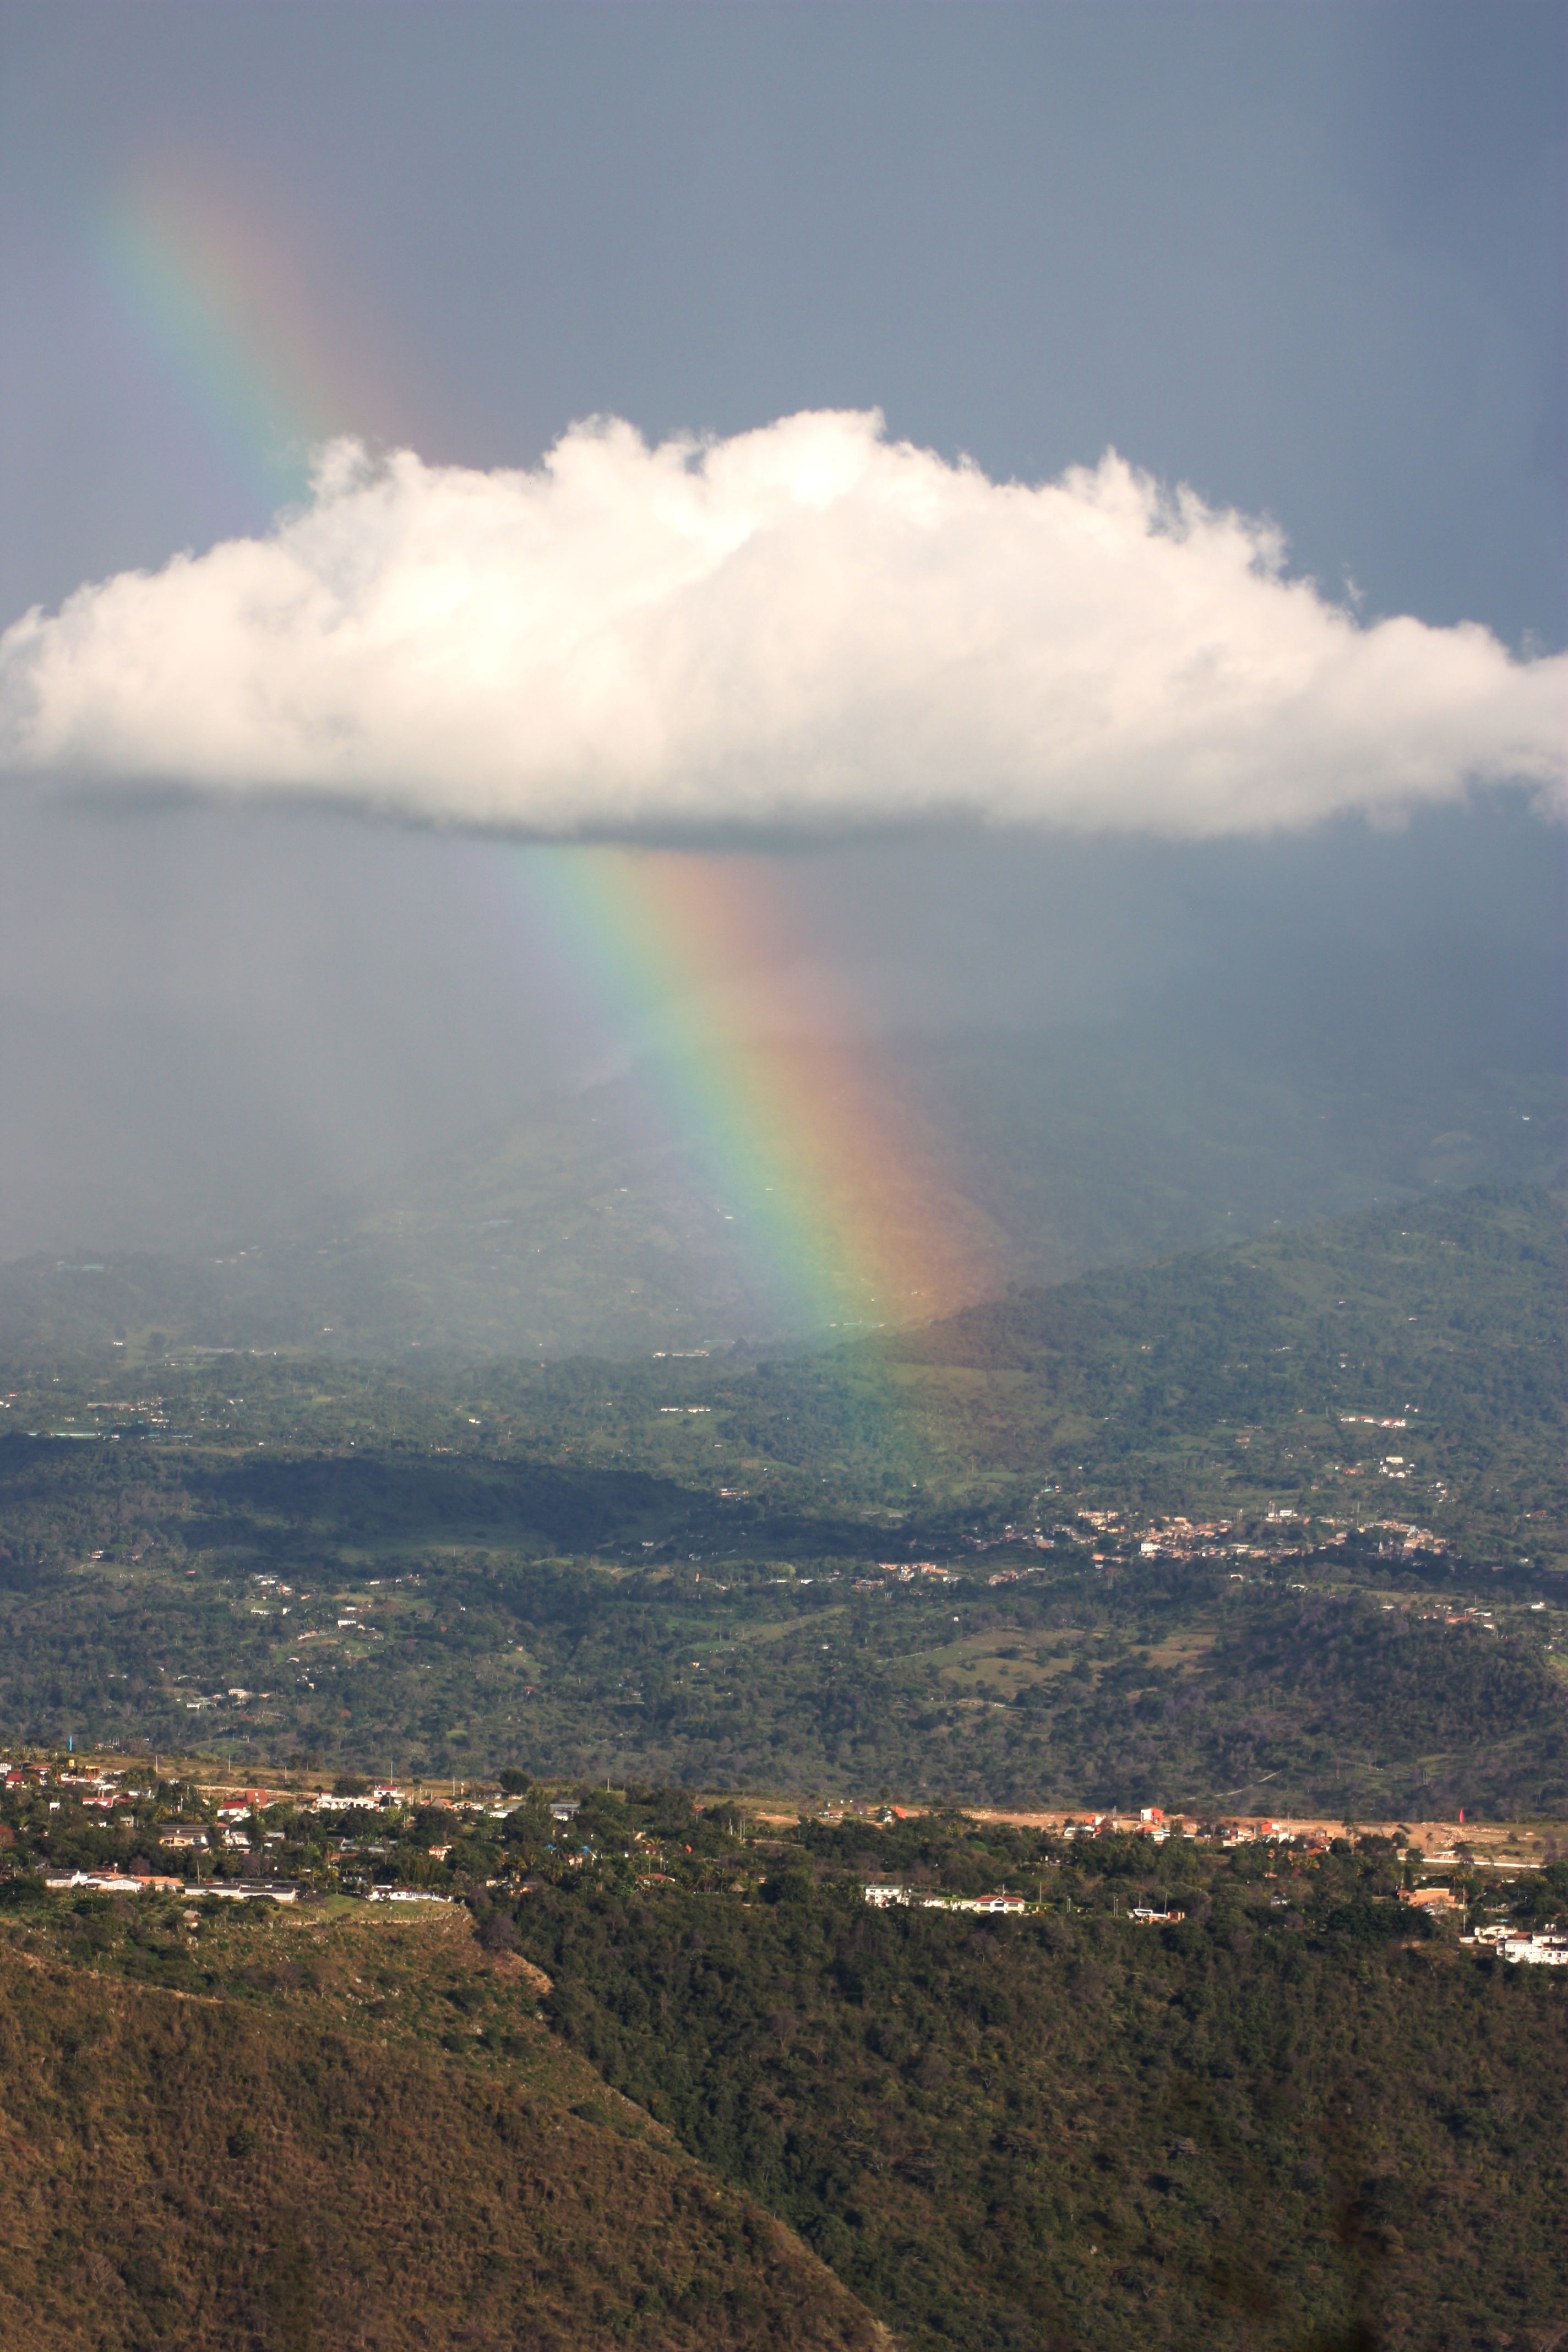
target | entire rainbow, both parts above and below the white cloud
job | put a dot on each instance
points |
(840, 1196)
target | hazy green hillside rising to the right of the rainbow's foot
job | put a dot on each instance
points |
(1299, 1351)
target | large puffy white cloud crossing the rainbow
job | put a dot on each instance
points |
(805, 624)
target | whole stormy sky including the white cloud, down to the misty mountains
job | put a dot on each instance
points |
(1050, 483)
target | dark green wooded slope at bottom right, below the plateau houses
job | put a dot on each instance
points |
(1287, 2120)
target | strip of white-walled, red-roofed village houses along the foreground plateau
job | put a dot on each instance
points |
(384, 1843)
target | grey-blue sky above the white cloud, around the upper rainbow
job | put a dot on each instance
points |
(1304, 258)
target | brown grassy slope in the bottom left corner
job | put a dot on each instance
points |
(213, 2177)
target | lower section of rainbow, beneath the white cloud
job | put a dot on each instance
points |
(843, 1194)
